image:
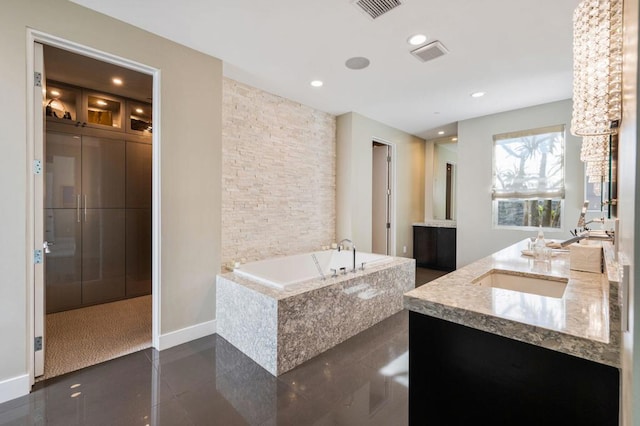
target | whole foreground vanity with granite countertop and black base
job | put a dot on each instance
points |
(497, 356)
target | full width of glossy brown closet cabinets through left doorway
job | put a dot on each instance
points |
(97, 214)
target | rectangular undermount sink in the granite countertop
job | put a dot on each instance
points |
(548, 286)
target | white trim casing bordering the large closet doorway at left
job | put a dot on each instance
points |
(34, 36)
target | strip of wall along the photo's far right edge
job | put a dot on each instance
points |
(628, 185)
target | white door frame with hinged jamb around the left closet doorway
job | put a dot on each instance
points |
(35, 143)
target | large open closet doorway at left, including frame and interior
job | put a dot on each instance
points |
(93, 204)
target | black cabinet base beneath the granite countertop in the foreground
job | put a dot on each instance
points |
(495, 380)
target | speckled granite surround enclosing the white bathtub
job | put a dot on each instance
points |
(280, 329)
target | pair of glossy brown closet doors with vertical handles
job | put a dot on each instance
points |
(85, 203)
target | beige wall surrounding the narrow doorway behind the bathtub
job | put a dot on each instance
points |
(355, 134)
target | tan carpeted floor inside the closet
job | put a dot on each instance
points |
(82, 337)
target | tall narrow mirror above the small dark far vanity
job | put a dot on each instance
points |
(445, 168)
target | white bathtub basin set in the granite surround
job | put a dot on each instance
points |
(282, 272)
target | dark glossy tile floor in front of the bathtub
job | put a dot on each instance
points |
(362, 381)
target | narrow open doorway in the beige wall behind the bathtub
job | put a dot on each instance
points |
(381, 191)
